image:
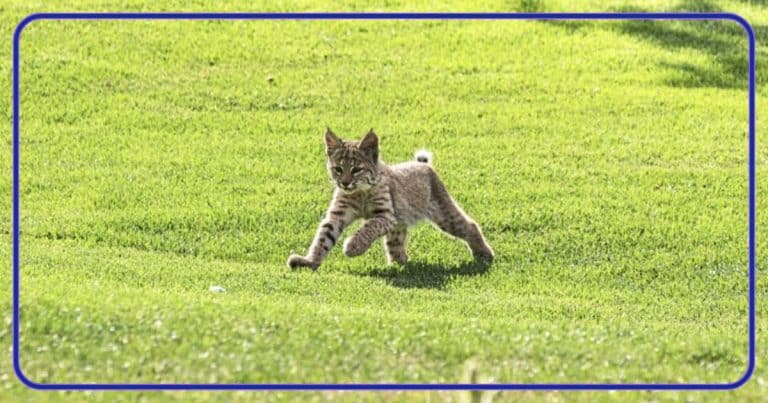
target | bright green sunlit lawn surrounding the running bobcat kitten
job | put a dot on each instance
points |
(605, 161)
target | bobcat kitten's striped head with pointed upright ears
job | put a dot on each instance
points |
(353, 165)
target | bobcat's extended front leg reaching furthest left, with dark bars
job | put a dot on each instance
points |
(339, 215)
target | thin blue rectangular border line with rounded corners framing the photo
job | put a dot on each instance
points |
(386, 16)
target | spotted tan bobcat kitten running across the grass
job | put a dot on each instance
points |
(390, 198)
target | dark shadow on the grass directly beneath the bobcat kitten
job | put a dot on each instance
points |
(427, 275)
